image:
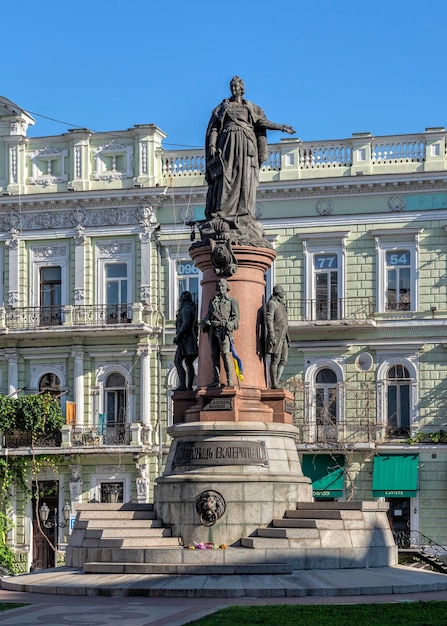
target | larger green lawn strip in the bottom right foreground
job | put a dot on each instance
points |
(399, 613)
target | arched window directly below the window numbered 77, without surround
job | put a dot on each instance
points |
(326, 404)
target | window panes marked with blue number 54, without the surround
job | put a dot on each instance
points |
(398, 280)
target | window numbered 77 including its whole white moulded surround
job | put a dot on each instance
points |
(324, 276)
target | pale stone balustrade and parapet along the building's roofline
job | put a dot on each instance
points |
(290, 159)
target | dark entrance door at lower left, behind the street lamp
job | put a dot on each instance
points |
(43, 553)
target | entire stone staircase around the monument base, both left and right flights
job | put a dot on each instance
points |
(128, 539)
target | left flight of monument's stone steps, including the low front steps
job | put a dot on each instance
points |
(128, 539)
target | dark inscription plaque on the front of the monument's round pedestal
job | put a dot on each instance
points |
(220, 453)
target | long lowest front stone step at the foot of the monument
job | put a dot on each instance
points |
(185, 568)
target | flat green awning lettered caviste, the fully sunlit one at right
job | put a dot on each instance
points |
(395, 476)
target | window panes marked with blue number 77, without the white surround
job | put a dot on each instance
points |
(326, 286)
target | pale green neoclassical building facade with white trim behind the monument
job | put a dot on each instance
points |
(95, 233)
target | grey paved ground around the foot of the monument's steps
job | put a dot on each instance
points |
(73, 603)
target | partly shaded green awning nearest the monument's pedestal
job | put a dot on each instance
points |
(326, 474)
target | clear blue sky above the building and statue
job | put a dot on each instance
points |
(327, 67)
